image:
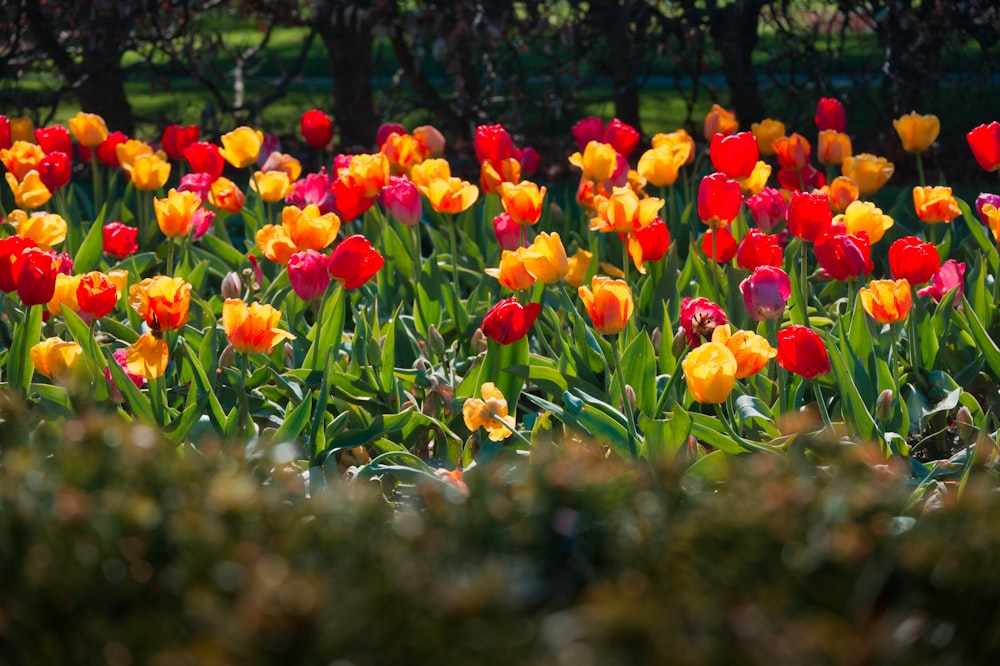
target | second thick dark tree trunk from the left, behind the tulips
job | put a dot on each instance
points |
(348, 40)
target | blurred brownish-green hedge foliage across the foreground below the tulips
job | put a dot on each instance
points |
(119, 548)
